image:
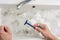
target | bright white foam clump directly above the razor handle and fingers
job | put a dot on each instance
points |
(37, 19)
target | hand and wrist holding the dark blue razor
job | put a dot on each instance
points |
(45, 32)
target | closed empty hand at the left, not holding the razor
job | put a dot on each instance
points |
(5, 33)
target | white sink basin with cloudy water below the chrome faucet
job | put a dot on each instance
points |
(14, 18)
